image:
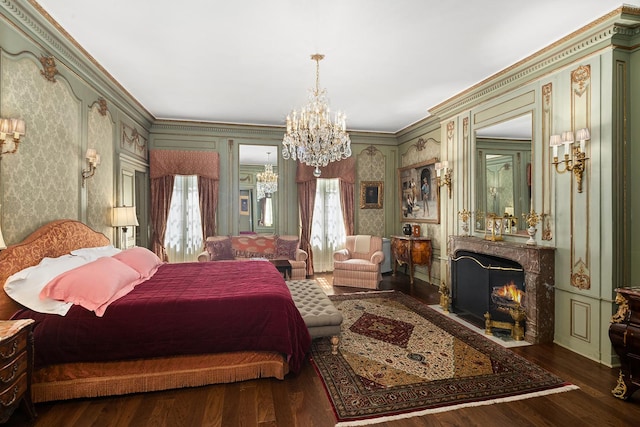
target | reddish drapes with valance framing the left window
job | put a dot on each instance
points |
(163, 166)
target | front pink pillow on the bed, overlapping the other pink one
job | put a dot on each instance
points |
(94, 285)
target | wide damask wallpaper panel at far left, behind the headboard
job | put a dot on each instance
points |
(40, 182)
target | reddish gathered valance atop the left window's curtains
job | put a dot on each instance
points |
(205, 164)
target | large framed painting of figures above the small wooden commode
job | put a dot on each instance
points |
(419, 193)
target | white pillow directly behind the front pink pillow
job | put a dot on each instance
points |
(25, 285)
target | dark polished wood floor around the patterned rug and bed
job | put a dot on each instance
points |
(300, 400)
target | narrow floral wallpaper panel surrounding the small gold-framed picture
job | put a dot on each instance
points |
(371, 166)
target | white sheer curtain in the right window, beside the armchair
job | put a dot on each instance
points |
(327, 231)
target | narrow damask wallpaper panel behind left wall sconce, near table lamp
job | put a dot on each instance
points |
(100, 186)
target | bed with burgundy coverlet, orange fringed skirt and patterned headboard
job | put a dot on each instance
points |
(197, 353)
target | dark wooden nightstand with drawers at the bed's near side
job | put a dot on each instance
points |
(16, 365)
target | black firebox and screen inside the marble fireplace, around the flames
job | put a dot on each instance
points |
(474, 277)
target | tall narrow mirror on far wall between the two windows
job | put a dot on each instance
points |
(257, 207)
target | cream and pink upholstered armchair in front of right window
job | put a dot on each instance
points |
(358, 264)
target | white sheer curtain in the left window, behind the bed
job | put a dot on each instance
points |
(183, 239)
